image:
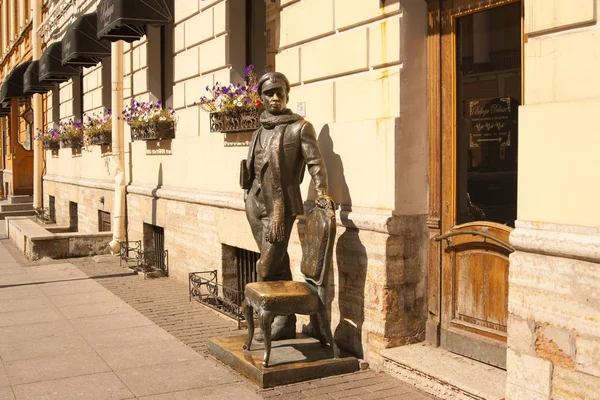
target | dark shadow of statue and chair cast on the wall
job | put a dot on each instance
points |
(351, 256)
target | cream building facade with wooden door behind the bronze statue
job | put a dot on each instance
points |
(446, 233)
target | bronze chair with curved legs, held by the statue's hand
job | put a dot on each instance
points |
(291, 297)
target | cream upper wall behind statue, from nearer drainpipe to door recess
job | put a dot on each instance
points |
(326, 77)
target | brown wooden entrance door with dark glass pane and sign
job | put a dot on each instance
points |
(481, 85)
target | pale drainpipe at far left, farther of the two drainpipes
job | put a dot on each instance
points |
(38, 124)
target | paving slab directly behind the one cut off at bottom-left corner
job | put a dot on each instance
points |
(54, 367)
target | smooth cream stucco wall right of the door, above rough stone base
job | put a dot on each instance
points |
(558, 125)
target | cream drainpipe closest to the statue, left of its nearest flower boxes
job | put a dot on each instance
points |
(118, 154)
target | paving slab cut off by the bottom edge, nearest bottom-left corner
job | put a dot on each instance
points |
(102, 386)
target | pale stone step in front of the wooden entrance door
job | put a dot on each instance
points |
(443, 374)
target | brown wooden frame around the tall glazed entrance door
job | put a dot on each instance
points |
(441, 99)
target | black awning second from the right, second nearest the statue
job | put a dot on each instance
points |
(81, 46)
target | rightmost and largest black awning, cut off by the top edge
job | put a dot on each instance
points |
(127, 19)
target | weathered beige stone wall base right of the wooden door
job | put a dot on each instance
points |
(553, 327)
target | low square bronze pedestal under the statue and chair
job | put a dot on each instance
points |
(294, 360)
